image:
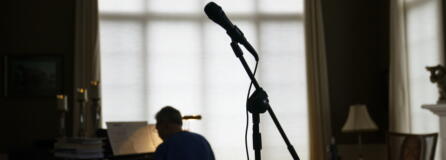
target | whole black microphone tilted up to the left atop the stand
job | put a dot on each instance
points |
(216, 14)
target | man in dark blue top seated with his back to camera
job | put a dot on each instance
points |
(178, 144)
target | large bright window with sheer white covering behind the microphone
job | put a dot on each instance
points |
(166, 52)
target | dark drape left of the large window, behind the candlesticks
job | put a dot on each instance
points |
(86, 58)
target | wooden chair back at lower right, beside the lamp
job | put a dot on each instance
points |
(402, 146)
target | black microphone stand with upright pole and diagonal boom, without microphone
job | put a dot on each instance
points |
(258, 103)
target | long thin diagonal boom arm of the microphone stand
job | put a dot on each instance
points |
(239, 53)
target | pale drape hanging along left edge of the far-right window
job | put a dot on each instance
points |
(399, 99)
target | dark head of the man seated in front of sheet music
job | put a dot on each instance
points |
(168, 122)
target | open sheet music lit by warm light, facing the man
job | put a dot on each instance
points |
(132, 137)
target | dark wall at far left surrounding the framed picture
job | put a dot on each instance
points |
(32, 28)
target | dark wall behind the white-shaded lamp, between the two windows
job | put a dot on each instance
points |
(357, 58)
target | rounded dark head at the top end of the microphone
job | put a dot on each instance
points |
(216, 14)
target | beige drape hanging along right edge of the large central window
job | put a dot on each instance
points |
(318, 105)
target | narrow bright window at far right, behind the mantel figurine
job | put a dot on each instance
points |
(424, 49)
